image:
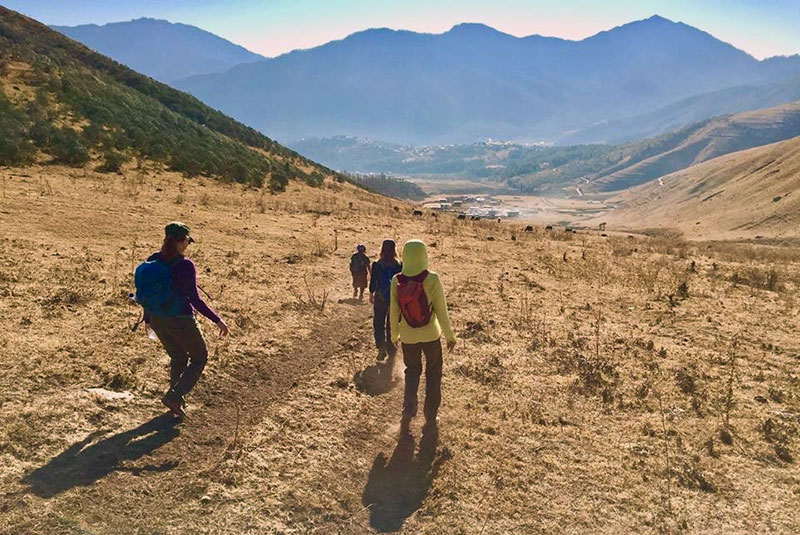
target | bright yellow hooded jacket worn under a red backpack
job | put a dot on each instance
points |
(415, 261)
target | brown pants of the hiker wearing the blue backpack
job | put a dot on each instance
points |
(186, 347)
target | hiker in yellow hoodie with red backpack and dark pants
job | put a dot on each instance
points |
(418, 318)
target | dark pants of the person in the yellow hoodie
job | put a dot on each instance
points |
(412, 358)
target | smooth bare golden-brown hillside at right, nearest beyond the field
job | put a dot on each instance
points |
(742, 195)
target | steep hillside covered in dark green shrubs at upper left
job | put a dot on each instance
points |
(56, 82)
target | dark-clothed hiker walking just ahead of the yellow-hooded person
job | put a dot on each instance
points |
(380, 283)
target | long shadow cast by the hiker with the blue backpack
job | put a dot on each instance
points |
(82, 465)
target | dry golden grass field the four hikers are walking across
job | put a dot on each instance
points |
(600, 384)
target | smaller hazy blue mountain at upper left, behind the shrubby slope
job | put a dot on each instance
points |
(161, 49)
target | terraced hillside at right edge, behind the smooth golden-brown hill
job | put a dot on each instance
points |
(702, 142)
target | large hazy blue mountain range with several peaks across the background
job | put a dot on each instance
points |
(474, 82)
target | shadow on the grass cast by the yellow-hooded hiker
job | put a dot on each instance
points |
(396, 489)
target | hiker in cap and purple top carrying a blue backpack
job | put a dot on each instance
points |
(166, 286)
